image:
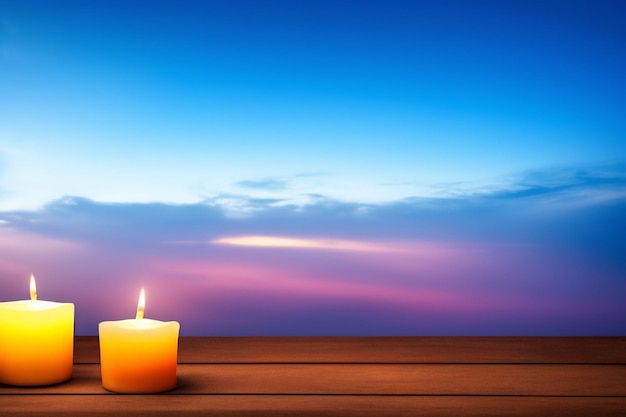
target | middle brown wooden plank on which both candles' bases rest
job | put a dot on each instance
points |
(372, 379)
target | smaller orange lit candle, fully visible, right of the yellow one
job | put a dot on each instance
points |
(138, 356)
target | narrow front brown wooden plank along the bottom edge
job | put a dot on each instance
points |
(283, 406)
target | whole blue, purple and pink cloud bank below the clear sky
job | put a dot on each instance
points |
(480, 264)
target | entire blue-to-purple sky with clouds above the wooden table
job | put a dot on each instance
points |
(318, 167)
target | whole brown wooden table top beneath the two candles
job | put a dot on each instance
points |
(356, 376)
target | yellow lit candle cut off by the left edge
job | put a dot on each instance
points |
(36, 341)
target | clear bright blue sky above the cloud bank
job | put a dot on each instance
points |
(365, 101)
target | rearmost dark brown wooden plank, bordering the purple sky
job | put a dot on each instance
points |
(582, 350)
